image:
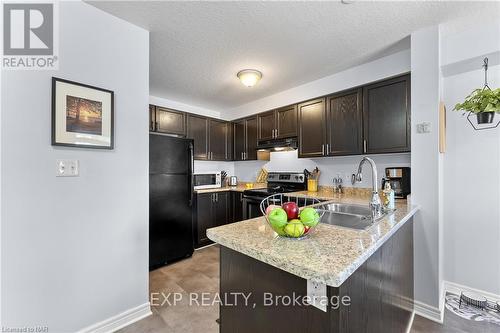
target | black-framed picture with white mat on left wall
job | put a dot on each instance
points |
(82, 115)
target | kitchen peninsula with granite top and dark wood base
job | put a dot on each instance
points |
(373, 267)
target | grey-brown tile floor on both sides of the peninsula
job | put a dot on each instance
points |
(200, 274)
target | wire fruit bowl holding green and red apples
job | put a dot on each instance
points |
(291, 217)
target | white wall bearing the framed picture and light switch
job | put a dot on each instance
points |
(75, 250)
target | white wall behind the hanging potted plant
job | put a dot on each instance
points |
(471, 163)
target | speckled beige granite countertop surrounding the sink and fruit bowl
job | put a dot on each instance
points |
(330, 255)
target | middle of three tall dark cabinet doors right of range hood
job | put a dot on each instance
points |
(344, 123)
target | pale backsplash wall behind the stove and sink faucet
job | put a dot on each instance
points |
(330, 166)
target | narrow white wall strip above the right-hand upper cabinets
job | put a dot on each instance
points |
(382, 68)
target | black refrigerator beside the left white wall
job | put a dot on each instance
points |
(170, 199)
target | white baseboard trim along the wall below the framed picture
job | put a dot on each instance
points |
(121, 320)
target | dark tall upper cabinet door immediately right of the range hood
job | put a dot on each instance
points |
(312, 128)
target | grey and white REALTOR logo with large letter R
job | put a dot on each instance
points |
(28, 36)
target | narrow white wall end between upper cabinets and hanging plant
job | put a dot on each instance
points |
(425, 160)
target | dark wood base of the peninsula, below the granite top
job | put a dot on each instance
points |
(380, 293)
